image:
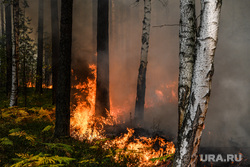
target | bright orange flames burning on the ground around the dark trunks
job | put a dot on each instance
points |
(84, 125)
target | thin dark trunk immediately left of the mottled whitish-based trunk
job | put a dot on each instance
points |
(8, 46)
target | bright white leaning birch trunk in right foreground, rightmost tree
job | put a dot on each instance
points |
(191, 130)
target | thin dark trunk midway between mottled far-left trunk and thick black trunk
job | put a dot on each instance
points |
(39, 79)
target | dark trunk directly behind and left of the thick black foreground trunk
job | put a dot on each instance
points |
(55, 45)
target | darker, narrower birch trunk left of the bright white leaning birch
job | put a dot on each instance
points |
(187, 35)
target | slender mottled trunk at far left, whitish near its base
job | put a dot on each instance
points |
(15, 59)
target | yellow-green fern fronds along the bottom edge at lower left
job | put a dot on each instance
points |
(41, 160)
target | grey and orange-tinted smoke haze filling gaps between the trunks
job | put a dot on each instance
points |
(228, 115)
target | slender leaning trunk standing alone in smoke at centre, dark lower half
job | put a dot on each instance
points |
(141, 81)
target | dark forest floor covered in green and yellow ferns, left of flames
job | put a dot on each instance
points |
(26, 138)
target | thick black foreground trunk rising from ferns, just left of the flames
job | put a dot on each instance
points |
(62, 127)
